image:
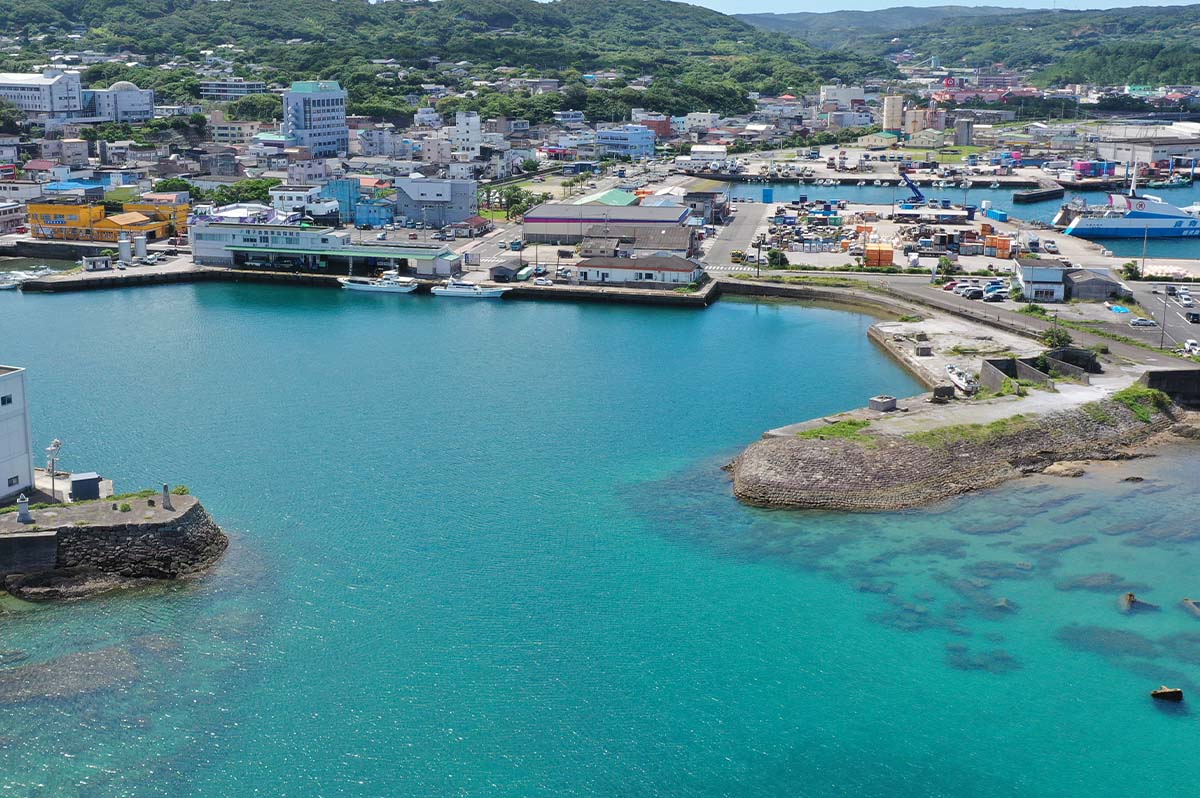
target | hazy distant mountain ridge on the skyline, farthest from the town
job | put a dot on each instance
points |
(837, 29)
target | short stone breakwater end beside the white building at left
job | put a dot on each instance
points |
(93, 548)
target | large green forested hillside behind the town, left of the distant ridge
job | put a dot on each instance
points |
(700, 58)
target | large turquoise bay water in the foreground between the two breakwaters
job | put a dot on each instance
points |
(487, 549)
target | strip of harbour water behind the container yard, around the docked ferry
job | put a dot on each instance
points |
(1001, 200)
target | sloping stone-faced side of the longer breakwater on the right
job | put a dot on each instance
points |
(889, 472)
